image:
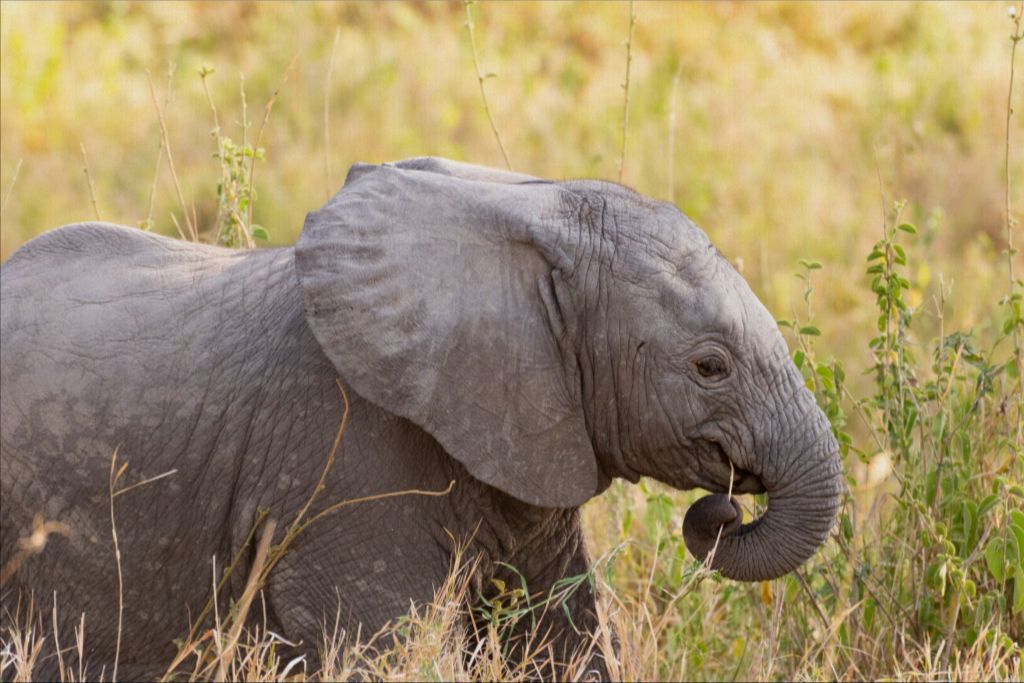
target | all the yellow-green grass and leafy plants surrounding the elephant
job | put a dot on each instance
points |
(859, 163)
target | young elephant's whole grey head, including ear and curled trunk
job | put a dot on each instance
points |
(551, 336)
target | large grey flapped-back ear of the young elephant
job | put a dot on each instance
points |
(433, 296)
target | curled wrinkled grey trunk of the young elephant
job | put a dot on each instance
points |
(802, 506)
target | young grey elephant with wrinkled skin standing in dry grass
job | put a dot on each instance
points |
(528, 340)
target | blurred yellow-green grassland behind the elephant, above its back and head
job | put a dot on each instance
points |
(784, 130)
